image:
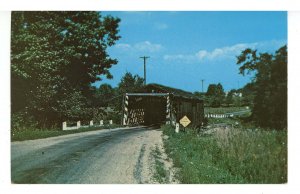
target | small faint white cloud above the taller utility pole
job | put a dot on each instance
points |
(145, 46)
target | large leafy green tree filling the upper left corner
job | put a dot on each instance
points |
(55, 56)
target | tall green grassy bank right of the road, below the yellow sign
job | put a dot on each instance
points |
(229, 156)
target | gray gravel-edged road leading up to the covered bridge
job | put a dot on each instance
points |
(105, 156)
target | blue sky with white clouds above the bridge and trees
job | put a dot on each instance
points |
(185, 47)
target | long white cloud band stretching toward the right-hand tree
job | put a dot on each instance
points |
(228, 52)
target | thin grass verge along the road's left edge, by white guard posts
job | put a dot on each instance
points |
(31, 133)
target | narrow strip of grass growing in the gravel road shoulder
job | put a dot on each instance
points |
(160, 173)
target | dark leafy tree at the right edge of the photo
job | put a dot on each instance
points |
(269, 85)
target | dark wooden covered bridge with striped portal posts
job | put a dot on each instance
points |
(158, 104)
